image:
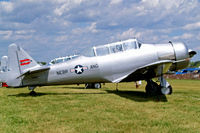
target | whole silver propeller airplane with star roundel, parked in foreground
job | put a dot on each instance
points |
(122, 61)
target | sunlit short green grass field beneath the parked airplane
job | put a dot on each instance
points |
(74, 109)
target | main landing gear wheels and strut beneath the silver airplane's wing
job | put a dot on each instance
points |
(153, 89)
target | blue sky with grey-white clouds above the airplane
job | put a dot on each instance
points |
(47, 29)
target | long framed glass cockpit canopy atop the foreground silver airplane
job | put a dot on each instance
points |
(116, 47)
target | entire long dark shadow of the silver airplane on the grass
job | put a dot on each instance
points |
(137, 96)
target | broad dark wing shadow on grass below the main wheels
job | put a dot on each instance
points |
(138, 96)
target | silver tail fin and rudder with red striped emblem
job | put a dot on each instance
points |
(18, 63)
